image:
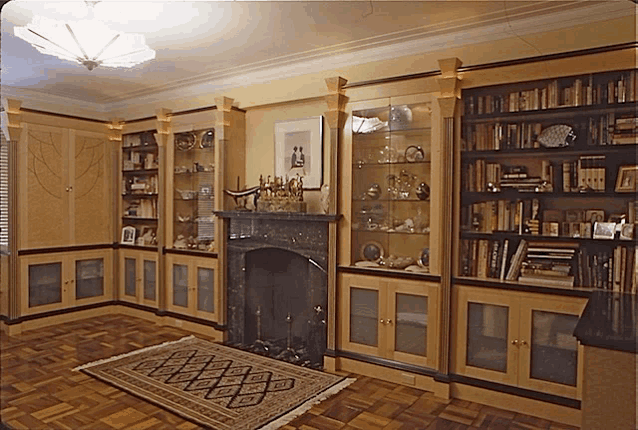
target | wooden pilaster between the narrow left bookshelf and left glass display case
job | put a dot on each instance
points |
(162, 132)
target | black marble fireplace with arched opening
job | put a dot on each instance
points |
(298, 240)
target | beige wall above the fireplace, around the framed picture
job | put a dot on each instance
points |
(260, 140)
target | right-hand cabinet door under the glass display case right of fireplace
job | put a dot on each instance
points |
(411, 322)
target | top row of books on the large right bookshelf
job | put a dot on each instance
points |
(582, 91)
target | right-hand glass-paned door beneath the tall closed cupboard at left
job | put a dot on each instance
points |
(91, 280)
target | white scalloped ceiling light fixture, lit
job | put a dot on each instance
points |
(89, 42)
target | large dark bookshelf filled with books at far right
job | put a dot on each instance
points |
(548, 189)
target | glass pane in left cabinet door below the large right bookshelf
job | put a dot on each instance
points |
(487, 334)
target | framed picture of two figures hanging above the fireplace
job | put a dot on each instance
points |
(299, 150)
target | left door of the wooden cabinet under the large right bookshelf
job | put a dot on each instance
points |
(486, 334)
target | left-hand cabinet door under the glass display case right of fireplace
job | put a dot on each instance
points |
(362, 315)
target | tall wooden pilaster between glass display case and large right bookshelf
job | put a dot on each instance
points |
(449, 85)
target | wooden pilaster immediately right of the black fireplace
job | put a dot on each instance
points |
(336, 118)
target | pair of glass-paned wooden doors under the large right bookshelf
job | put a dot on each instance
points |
(519, 339)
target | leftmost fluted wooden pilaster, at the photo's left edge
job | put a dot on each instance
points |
(12, 127)
